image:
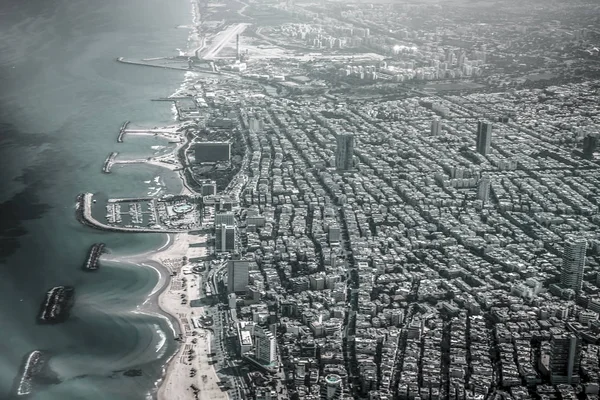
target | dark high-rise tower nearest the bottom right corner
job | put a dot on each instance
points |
(565, 358)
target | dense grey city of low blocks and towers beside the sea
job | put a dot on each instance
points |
(391, 200)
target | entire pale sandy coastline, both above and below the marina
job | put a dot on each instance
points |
(165, 299)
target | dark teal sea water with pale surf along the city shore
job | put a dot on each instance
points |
(63, 98)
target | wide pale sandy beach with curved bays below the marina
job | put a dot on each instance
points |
(175, 280)
